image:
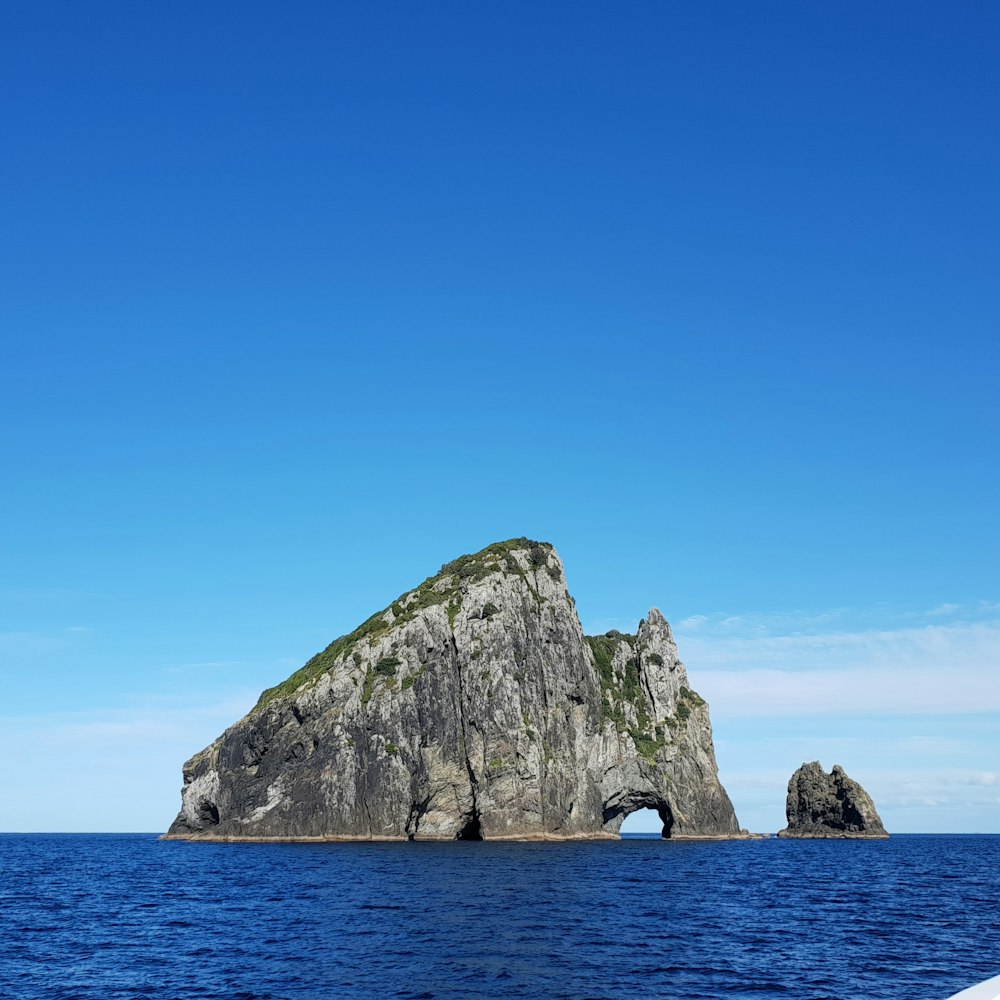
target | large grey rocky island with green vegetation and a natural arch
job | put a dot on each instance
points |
(473, 707)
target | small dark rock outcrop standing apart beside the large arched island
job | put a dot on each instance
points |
(829, 805)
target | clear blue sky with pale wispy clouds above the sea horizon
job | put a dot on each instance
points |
(297, 304)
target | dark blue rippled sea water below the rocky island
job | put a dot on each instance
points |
(116, 916)
